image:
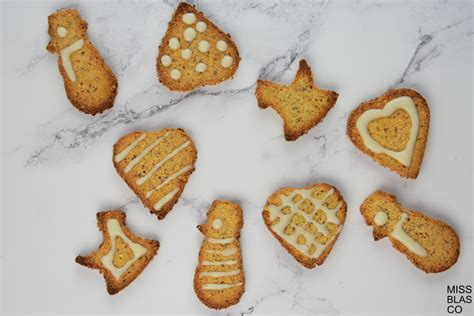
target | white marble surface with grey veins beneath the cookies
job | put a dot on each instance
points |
(57, 170)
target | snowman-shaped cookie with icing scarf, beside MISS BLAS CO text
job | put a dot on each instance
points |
(430, 244)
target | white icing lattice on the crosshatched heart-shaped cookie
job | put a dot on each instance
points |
(283, 221)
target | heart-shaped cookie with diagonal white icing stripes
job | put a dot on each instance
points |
(156, 166)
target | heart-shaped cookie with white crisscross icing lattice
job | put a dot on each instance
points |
(306, 221)
